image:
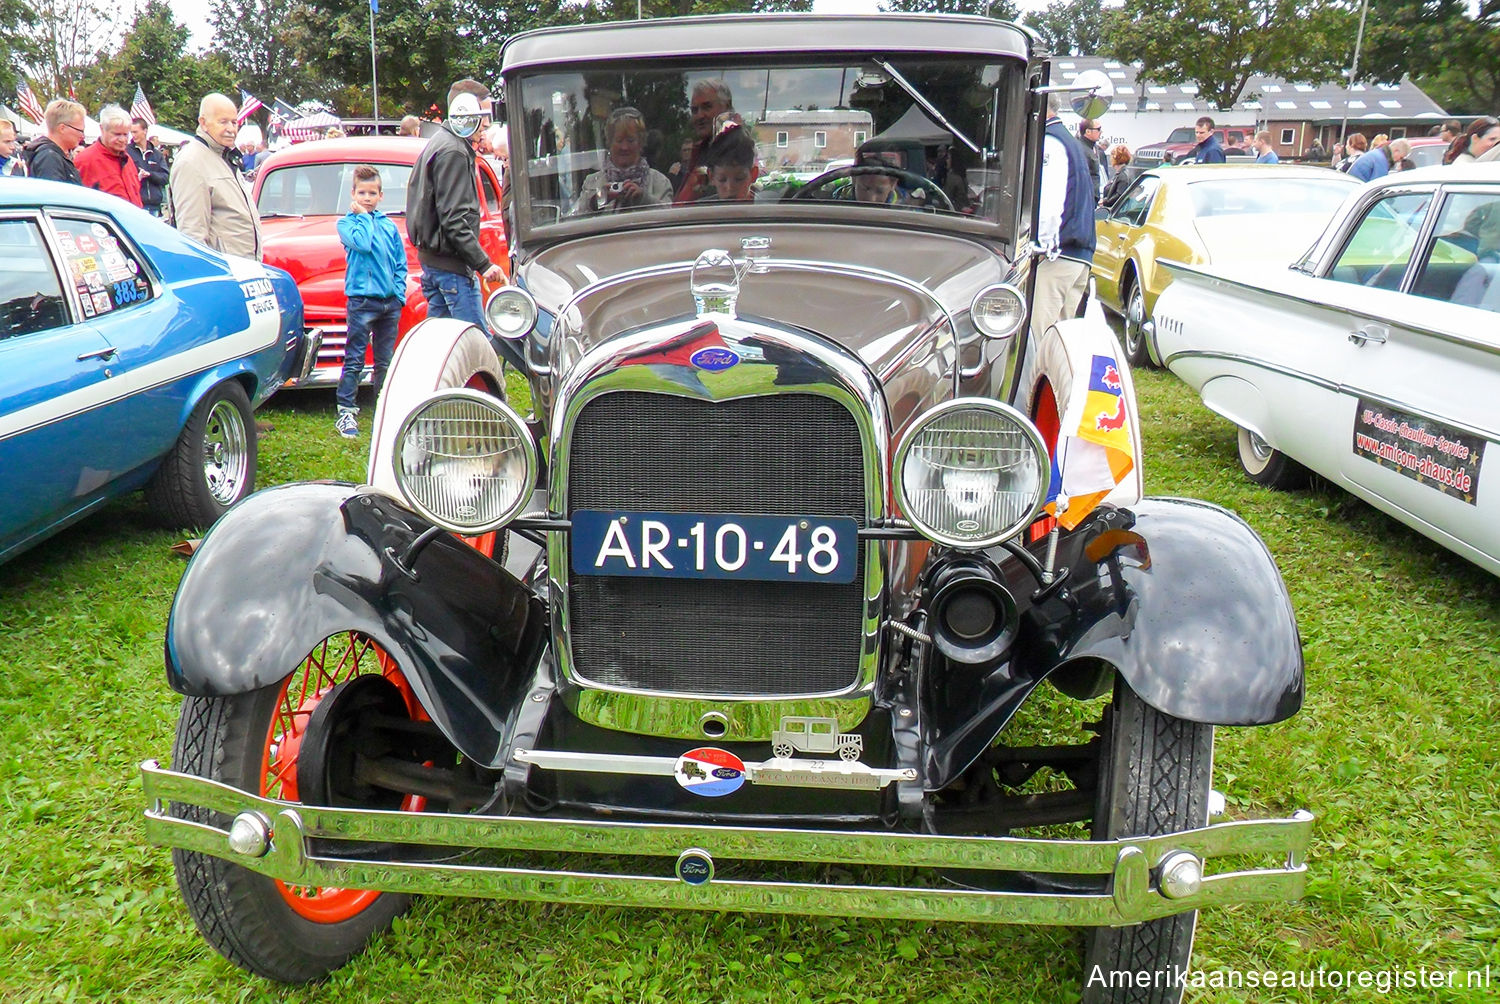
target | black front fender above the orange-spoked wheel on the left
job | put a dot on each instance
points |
(295, 565)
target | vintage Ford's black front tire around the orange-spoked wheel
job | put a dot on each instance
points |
(247, 918)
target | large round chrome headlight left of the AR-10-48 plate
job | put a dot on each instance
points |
(466, 461)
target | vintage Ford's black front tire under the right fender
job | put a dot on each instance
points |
(1154, 778)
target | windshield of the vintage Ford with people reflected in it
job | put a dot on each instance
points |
(839, 136)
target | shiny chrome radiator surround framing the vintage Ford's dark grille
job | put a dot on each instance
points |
(835, 374)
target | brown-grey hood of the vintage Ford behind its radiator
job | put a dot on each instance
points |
(851, 284)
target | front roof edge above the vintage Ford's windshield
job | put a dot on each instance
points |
(710, 38)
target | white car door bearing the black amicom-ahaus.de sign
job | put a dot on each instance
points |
(1423, 380)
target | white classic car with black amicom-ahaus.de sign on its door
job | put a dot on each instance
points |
(1373, 361)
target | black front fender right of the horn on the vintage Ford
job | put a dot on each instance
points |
(1187, 604)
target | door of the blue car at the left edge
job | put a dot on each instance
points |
(56, 440)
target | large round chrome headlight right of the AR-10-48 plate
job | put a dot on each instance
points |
(971, 473)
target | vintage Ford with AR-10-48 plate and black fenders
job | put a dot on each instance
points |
(764, 580)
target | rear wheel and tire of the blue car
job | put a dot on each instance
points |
(212, 466)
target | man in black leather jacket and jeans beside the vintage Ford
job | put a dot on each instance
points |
(443, 209)
